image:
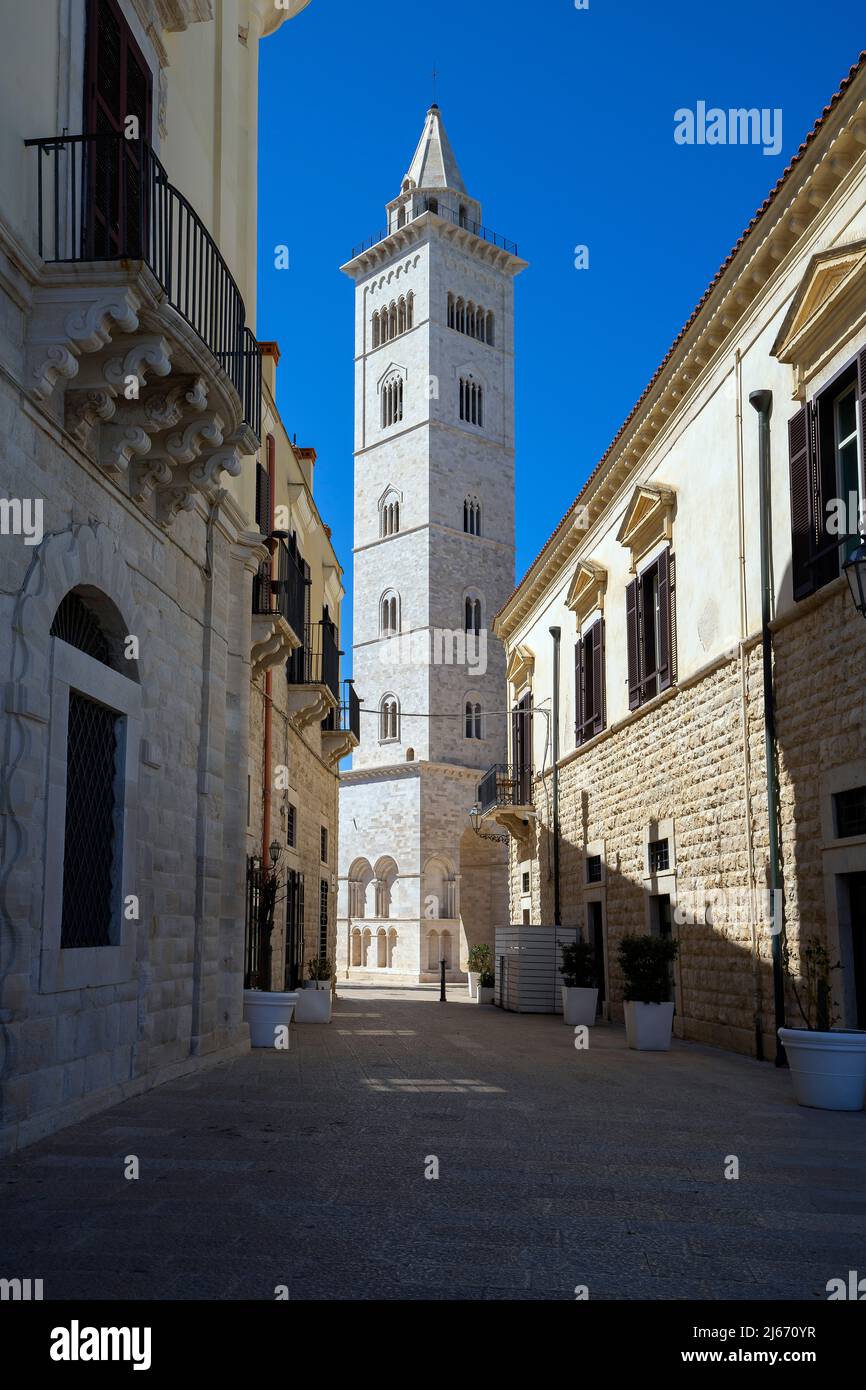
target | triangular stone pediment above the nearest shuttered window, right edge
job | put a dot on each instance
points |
(828, 309)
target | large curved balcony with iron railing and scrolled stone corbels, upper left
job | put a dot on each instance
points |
(138, 338)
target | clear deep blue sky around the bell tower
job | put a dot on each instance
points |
(562, 122)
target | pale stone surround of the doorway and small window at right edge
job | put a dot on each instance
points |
(840, 858)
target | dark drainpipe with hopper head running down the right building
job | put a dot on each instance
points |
(762, 402)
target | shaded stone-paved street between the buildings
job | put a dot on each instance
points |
(557, 1168)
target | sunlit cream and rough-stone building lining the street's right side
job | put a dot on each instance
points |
(671, 740)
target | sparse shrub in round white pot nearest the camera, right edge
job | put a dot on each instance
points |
(828, 1064)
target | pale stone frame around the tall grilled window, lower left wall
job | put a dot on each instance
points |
(76, 968)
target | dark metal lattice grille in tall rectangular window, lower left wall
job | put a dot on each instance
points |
(90, 854)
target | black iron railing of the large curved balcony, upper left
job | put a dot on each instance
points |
(104, 198)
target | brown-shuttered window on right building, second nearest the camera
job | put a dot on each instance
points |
(651, 629)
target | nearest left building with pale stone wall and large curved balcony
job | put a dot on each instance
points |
(130, 423)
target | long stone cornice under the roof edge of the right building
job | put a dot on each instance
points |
(755, 266)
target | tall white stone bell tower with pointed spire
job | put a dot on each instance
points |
(434, 521)
